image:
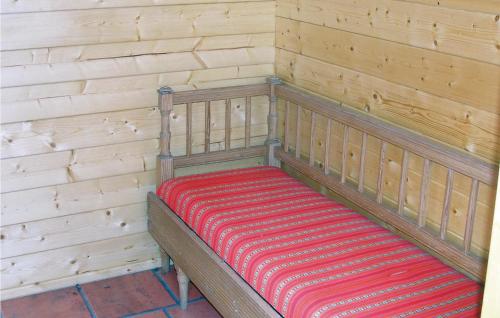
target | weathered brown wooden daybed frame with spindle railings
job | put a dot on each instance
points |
(223, 287)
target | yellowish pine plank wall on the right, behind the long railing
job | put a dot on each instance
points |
(430, 66)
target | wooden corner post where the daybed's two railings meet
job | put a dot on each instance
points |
(272, 140)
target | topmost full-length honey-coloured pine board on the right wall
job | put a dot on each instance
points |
(457, 32)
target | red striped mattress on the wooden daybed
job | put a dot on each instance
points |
(310, 256)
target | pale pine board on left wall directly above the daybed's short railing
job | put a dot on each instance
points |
(123, 93)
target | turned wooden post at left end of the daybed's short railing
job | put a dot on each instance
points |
(166, 160)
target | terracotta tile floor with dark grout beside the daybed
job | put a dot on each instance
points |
(146, 294)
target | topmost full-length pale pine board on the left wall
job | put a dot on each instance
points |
(134, 24)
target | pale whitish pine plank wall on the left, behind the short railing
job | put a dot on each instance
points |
(80, 126)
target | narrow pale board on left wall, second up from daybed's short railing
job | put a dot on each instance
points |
(127, 66)
